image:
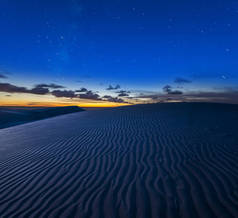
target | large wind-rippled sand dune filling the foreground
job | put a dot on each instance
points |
(162, 160)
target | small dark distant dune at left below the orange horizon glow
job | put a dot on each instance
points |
(11, 116)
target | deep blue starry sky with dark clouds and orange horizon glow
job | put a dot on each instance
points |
(117, 52)
